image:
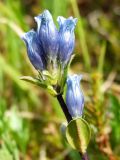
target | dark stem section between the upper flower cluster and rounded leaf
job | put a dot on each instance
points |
(64, 107)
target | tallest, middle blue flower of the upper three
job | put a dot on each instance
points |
(48, 34)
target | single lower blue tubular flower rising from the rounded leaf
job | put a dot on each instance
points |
(74, 96)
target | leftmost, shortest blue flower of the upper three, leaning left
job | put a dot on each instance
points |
(34, 49)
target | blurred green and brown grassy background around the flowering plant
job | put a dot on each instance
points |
(30, 118)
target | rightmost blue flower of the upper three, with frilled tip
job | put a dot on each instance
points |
(66, 38)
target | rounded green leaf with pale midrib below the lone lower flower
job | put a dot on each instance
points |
(78, 134)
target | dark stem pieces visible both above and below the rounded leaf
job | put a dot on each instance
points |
(69, 118)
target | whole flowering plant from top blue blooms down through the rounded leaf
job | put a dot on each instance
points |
(50, 51)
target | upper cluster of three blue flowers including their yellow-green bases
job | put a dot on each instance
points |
(49, 49)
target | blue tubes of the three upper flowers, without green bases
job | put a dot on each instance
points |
(49, 44)
